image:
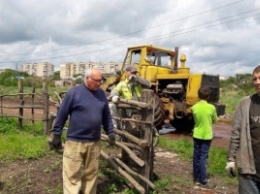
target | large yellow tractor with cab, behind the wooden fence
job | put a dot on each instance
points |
(175, 88)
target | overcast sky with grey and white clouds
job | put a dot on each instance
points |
(218, 37)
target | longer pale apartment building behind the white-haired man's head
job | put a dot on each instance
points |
(69, 69)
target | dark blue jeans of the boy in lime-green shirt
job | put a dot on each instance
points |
(200, 160)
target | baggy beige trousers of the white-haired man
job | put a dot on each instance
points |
(80, 167)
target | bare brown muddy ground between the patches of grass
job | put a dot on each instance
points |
(43, 176)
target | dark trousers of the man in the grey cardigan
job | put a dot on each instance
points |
(248, 185)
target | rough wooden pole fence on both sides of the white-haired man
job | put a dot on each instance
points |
(143, 144)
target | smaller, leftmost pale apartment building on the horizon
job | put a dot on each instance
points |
(44, 69)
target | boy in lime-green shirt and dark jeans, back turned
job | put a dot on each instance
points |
(205, 116)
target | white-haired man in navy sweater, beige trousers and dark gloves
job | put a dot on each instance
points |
(87, 108)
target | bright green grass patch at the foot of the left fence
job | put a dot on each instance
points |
(20, 144)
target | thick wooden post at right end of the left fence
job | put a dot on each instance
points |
(45, 108)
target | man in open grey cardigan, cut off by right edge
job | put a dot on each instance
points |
(244, 147)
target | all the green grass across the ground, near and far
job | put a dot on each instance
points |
(31, 143)
